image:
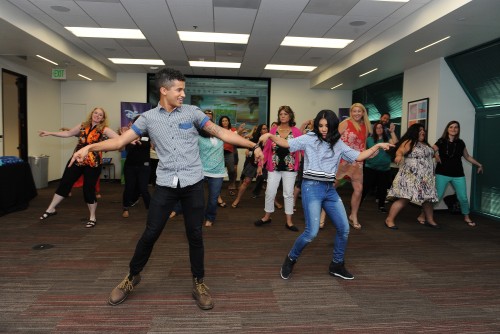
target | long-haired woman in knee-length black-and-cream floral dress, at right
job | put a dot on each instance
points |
(415, 180)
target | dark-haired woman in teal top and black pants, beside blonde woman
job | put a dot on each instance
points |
(377, 169)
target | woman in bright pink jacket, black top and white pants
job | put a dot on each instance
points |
(281, 165)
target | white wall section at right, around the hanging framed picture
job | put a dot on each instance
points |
(447, 102)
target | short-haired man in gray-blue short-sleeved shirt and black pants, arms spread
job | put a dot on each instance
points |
(173, 127)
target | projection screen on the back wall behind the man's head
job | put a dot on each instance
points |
(243, 100)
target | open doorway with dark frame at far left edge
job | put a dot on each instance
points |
(15, 112)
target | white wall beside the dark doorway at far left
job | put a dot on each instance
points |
(44, 112)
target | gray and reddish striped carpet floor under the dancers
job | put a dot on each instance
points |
(56, 276)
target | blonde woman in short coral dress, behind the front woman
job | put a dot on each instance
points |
(354, 130)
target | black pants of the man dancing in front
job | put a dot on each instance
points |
(162, 204)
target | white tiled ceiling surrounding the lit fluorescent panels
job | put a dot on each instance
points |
(385, 35)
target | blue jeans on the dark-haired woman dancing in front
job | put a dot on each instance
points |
(317, 195)
